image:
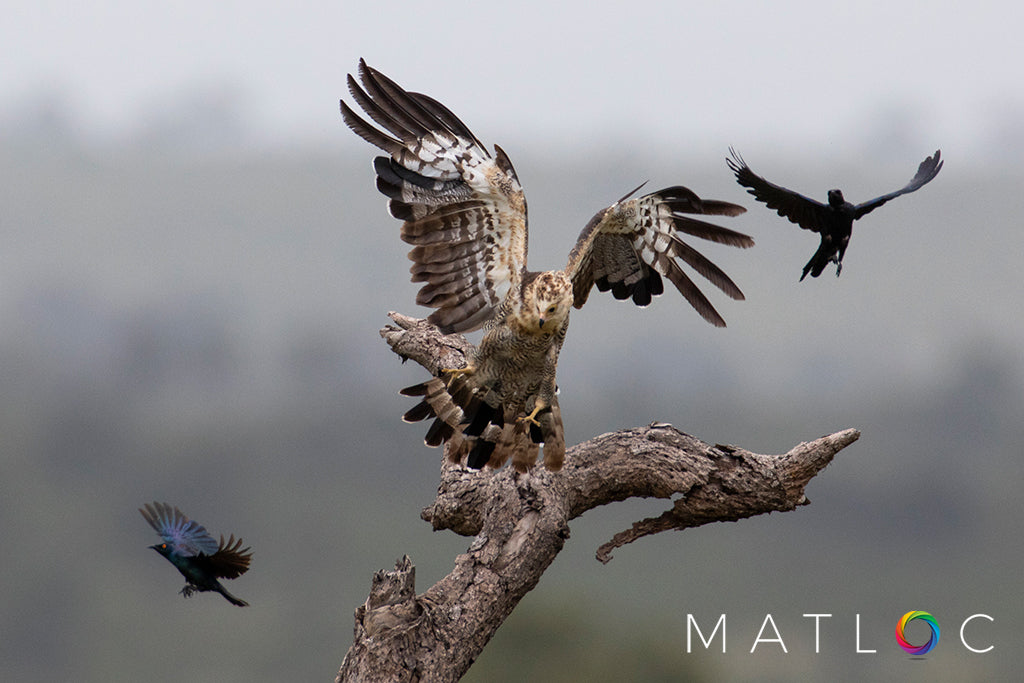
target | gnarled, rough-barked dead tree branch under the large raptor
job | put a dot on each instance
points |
(521, 523)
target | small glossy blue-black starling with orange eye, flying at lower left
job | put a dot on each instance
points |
(190, 548)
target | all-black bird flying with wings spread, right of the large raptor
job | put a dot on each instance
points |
(834, 222)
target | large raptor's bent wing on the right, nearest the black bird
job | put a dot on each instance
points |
(631, 245)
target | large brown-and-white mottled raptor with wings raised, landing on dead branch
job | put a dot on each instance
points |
(465, 216)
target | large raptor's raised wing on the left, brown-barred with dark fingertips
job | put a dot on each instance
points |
(464, 210)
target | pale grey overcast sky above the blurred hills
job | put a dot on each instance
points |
(797, 74)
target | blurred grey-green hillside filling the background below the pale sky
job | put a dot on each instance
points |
(197, 323)
